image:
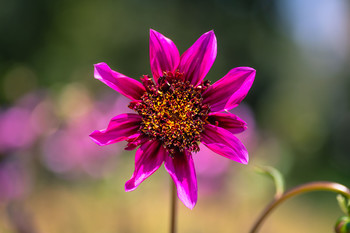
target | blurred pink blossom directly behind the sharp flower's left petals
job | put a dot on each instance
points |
(70, 153)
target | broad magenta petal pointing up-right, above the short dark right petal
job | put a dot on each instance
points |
(229, 91)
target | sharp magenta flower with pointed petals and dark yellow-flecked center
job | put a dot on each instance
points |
(176, 111)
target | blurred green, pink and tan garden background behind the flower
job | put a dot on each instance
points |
(53, 178)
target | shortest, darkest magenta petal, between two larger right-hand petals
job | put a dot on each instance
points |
(228, 121)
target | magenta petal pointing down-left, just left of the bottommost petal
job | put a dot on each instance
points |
(148, 158)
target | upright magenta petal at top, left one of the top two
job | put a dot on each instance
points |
(163, 53)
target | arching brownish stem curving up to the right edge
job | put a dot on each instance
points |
(309, 187)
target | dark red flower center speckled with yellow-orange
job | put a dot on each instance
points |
(172, 112)
